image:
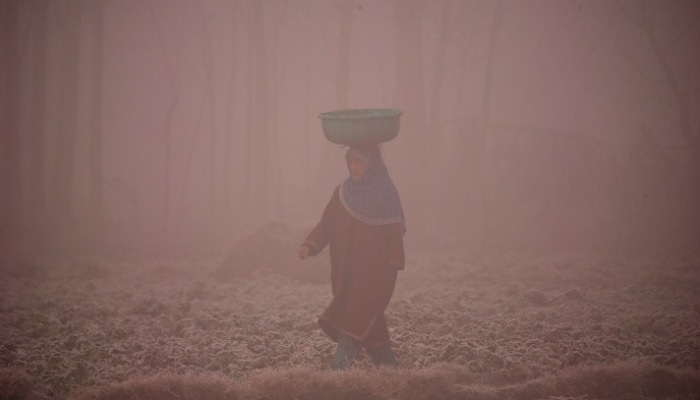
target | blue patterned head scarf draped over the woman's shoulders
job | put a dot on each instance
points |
(372, 199)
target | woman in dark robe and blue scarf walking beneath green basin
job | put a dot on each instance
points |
(363, 225)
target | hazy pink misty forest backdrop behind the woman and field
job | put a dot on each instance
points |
(172, 124)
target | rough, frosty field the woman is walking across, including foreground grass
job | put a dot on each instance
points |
(208, 327)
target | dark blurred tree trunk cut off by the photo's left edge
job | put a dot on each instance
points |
(10, 183)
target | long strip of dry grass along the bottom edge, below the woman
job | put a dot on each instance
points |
(443, 381)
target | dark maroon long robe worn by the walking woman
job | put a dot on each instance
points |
(365, 260)
